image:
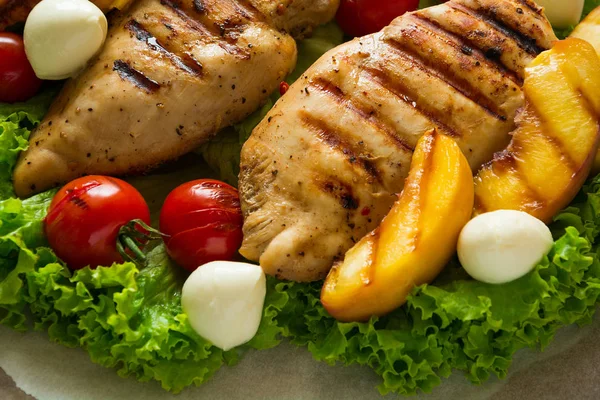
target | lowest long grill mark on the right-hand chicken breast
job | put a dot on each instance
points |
(331, 137)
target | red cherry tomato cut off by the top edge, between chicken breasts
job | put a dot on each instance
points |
(362, 17)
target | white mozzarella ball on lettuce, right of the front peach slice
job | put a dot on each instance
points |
(501, 246)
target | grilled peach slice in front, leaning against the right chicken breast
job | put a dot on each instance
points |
(415, 240)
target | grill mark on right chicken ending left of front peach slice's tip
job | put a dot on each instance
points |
(350, 102)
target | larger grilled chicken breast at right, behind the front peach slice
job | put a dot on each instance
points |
(325, 165)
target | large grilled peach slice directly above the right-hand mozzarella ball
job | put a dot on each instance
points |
(556, 138)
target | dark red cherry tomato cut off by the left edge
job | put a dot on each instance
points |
(17, 79)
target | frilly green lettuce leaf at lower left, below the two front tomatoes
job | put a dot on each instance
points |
(125, 317)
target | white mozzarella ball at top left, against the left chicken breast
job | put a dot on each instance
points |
(61, 36)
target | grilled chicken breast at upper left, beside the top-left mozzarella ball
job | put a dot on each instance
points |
(171, 74)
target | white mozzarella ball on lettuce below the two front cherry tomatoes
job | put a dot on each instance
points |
(224, 302)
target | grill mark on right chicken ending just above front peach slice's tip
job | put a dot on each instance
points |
(401, 91)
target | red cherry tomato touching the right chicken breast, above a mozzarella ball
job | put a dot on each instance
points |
(203, 221)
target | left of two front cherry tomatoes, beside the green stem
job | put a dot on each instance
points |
(85, 217)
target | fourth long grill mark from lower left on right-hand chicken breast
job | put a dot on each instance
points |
(434, 69)
